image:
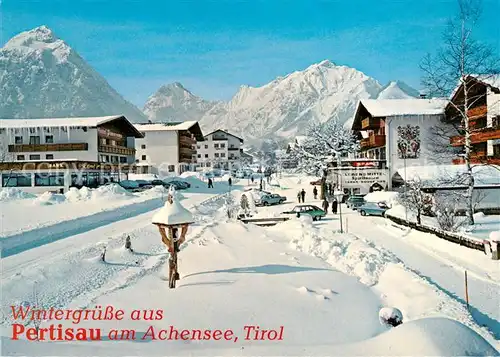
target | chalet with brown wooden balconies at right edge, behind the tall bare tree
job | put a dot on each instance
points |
(483, 118)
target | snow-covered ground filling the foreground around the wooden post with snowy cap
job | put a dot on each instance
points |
(322, 289)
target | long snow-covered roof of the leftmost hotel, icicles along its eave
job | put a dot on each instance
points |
(90, 122)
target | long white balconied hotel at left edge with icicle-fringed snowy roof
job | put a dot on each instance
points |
(41, 155)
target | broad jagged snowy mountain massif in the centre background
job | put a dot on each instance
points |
(287, 105)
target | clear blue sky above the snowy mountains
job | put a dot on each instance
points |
(213, 47)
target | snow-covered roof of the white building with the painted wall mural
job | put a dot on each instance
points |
(381, 108)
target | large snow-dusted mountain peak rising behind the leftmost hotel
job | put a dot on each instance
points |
(41, 76)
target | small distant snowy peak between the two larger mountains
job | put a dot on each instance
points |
(173, 102)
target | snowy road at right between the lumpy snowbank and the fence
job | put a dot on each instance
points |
(484, 296)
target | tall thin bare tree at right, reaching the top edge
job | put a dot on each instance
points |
(457, 64)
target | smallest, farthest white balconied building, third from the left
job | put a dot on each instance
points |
(220, 150)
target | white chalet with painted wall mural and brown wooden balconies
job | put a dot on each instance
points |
(397, 132)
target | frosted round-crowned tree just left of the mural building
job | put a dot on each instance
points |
(324, 144)
